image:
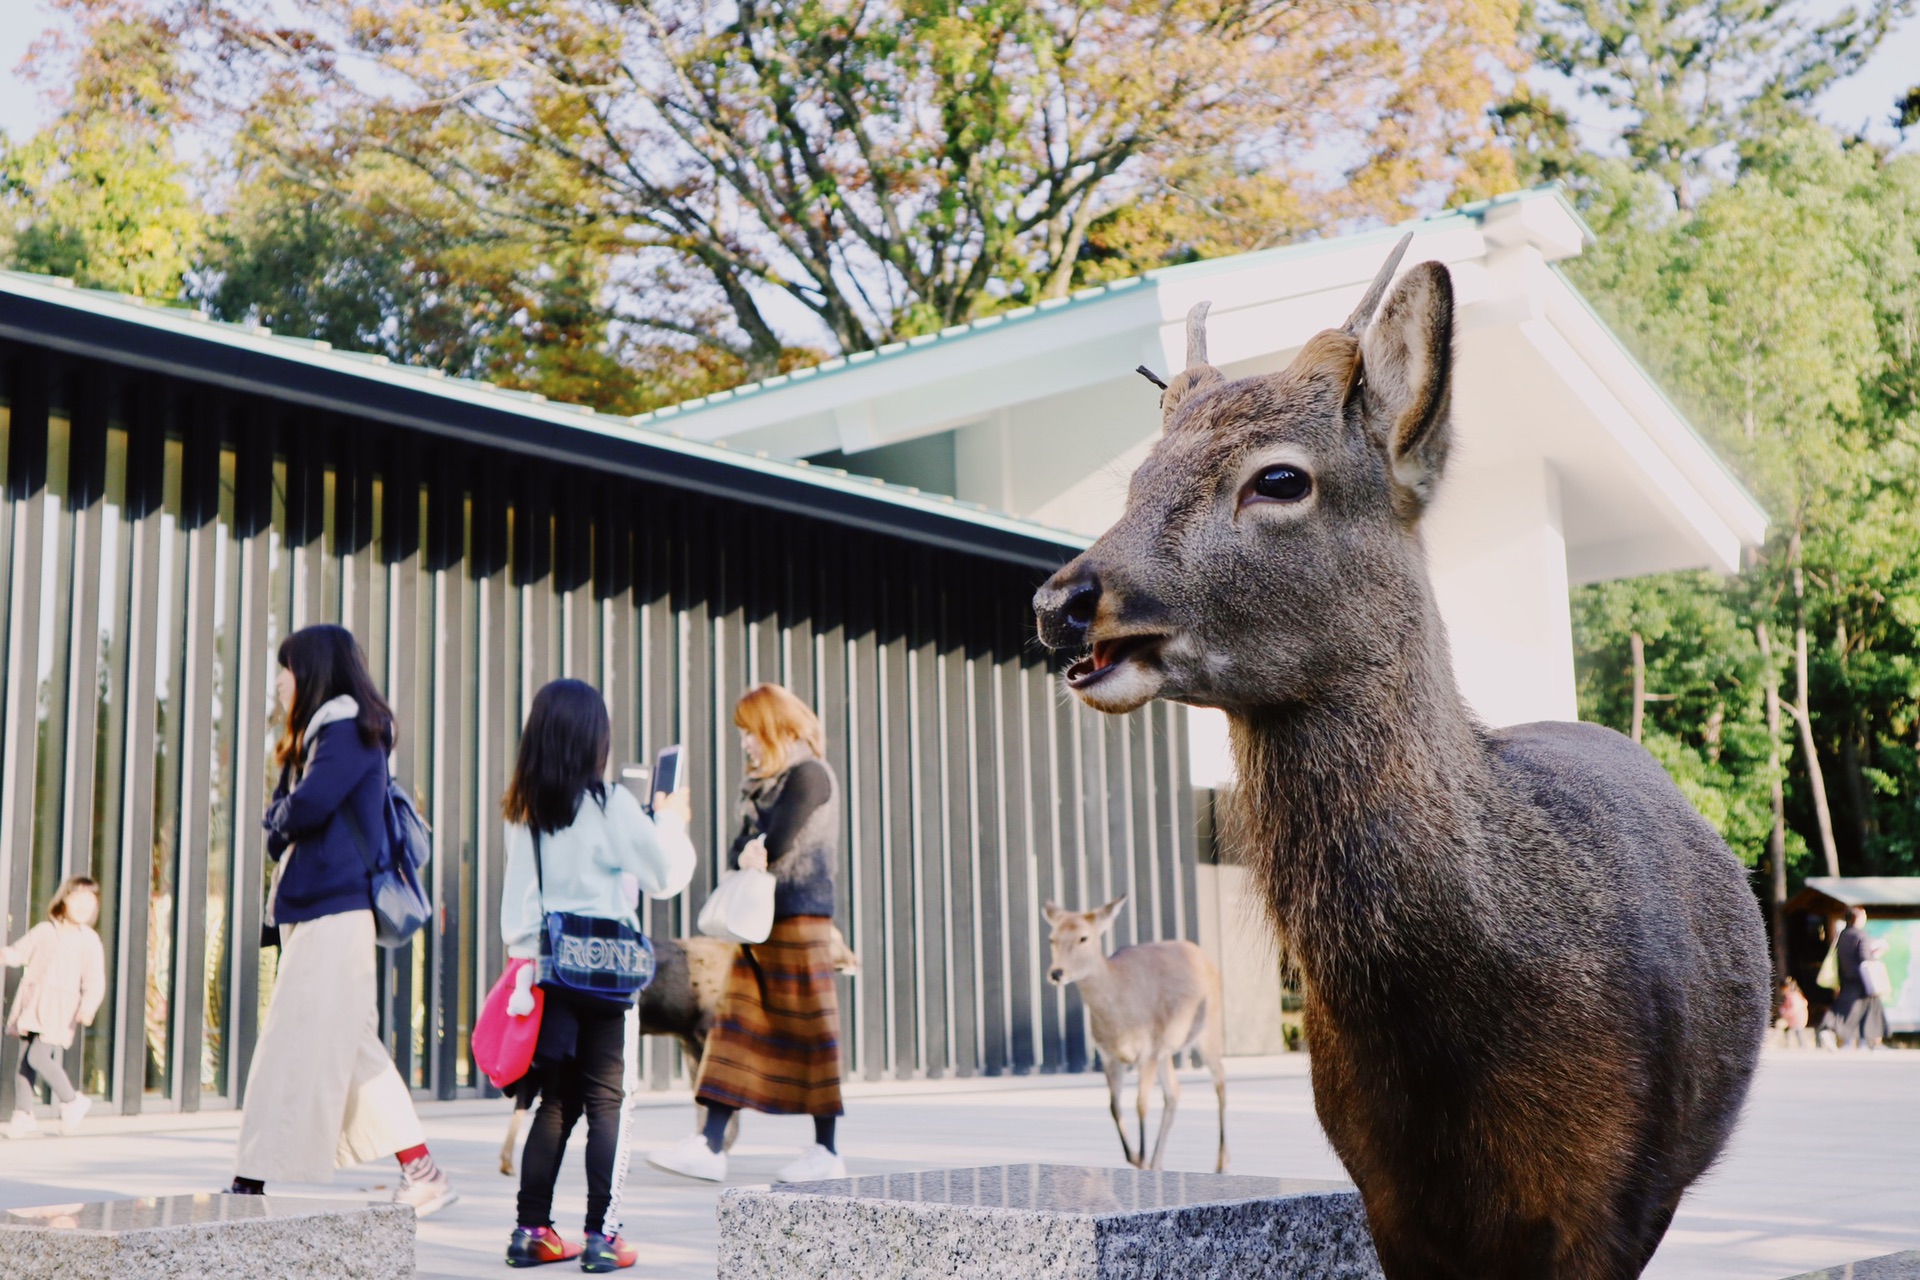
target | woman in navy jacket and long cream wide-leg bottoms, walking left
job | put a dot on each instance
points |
(324, 1091)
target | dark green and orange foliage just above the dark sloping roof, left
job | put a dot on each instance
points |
(364, 252)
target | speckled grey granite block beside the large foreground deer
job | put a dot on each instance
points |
(1047, 1221)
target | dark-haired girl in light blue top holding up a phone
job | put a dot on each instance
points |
(581, 847)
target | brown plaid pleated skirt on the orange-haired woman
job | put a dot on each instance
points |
(775, 1045)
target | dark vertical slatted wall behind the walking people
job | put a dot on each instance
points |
(168, 536)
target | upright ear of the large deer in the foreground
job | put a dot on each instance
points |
(1406, 366)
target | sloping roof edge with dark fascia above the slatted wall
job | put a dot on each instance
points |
(53, 314)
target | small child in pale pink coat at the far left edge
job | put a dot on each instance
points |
(59, 993)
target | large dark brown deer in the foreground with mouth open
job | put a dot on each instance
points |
(1535, 978)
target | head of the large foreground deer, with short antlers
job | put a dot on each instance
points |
(1270, 548)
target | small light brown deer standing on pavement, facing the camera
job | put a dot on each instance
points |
(1149, 1005)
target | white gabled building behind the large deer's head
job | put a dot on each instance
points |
(1570, 465)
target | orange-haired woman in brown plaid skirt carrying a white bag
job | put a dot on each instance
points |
(775, 1045)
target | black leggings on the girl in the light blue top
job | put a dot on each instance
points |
(581, 1064)
